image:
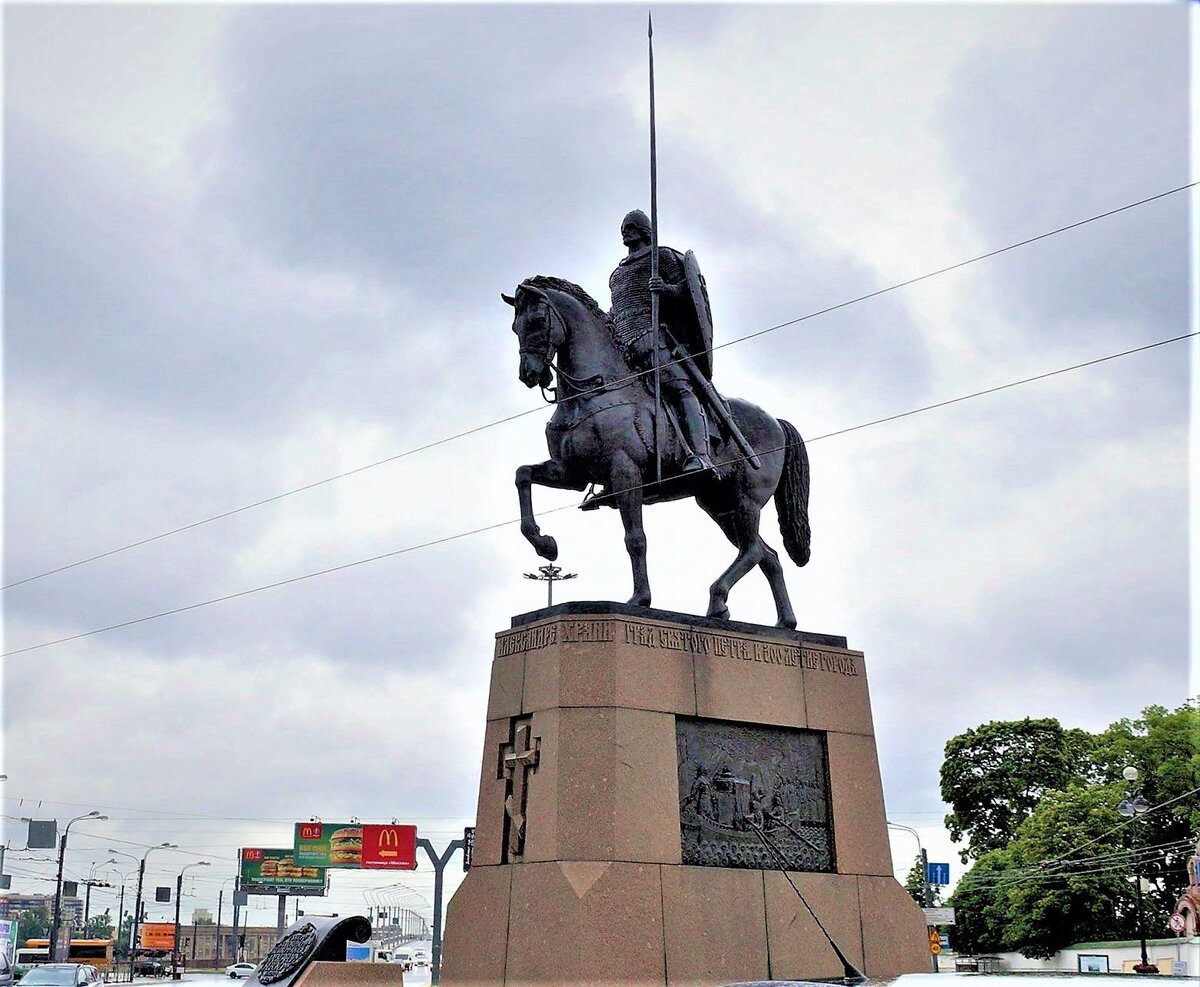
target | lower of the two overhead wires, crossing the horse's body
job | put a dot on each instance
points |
(497, 525)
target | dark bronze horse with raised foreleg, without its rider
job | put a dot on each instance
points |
(603, 433)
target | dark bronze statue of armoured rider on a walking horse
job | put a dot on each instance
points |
(639, 421)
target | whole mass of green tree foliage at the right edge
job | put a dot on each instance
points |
(1065, 874)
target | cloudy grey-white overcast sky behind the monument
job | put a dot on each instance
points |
(253, 248)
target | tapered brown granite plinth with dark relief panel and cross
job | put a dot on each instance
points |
(621, 740)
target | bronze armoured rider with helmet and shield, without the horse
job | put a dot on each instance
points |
(632, 285)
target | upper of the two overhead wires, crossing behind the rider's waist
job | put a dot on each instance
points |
(505, 421)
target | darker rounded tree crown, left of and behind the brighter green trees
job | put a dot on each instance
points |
(994, 776)
